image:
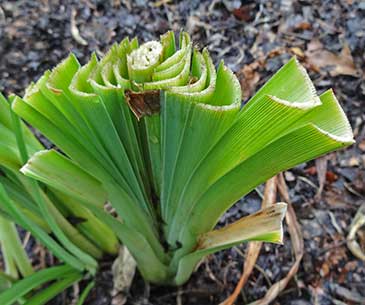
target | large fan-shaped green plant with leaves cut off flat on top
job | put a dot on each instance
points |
(165, 135)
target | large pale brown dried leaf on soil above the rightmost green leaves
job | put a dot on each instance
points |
(318, 57)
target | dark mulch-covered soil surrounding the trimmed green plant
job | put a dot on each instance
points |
(254, 39)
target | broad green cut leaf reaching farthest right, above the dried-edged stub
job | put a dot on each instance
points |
(294, 147)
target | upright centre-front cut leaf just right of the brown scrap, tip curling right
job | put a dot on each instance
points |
(194, 145)
